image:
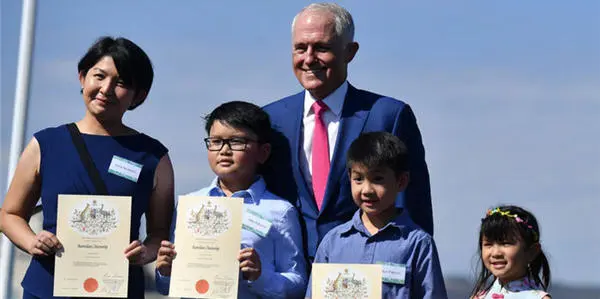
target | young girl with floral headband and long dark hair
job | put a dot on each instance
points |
(509, 244)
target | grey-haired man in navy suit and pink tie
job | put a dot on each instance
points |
(322, 47)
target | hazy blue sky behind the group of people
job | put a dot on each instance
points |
(507, 96)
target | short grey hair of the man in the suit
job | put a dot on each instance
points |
(344, 25)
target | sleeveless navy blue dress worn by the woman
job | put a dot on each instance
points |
(62, 172)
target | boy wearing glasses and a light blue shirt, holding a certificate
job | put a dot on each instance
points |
(272, 263)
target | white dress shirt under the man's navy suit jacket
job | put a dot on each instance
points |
(331, 117)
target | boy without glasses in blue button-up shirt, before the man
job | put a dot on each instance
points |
(380, 232)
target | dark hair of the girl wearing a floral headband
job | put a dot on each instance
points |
(500, 225)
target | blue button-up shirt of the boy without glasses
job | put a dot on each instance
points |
(399, 242)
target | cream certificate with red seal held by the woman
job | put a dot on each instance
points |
(94, 231)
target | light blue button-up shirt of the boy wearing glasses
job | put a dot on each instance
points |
(283, 272)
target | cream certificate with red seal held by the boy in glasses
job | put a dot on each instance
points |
(208, 234)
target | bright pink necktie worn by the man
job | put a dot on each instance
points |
(320, 153)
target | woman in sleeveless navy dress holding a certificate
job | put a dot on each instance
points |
(116, 76)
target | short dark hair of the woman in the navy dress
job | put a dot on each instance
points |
(132, 63)
